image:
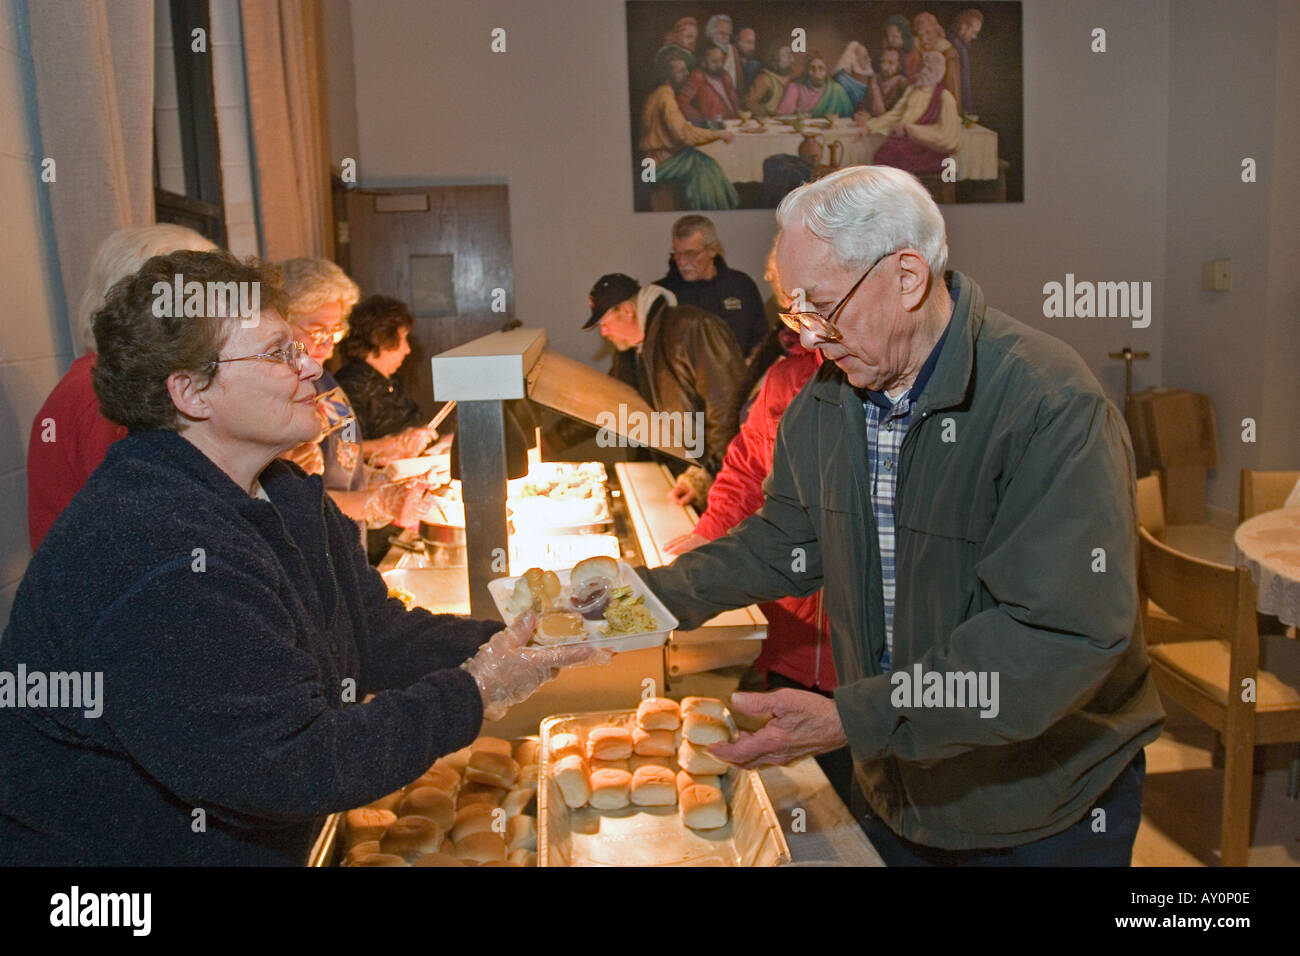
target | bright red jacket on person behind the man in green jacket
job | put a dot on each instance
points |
(798, 646)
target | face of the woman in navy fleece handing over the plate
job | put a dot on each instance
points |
(263, 403)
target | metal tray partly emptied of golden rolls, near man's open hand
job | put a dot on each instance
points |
(640, 789)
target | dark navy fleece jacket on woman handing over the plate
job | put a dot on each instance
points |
(233, 638)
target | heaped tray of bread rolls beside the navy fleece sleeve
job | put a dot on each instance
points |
(476, 807)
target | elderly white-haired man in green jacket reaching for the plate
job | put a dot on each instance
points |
(964, 492)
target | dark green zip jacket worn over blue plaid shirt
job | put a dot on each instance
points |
(1016, 556)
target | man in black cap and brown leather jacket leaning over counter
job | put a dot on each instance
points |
(681, 358)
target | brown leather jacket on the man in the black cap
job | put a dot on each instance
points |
(690, 364)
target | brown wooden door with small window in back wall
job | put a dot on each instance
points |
(445, 252)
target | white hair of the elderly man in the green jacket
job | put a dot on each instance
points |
(865, 213)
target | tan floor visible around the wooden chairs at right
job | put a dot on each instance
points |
(1184, 795)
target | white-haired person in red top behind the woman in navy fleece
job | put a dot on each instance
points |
(70, 438)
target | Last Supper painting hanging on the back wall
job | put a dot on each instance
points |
(734, 105)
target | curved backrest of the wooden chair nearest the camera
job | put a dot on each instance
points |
(1211, 598)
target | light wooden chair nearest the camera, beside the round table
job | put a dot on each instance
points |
(1207, 677)
